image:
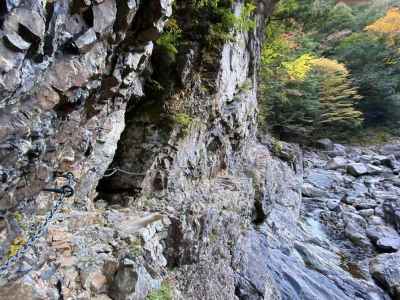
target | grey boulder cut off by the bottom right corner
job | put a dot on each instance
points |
(385, 269)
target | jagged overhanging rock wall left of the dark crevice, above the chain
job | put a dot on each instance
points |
(64, 96)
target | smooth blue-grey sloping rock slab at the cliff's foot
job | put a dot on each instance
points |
(269, 273)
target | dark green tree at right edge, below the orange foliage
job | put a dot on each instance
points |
(375, 66)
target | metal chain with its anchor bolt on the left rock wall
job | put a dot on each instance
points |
(65, 191)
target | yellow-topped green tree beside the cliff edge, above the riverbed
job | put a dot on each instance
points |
(305, 94)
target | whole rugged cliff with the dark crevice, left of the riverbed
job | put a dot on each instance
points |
(68, 72)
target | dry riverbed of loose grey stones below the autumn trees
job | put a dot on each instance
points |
(351, 195)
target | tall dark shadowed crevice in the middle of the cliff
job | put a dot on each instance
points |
(148, 129)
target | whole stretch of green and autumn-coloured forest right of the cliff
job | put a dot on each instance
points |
(327, 65)
